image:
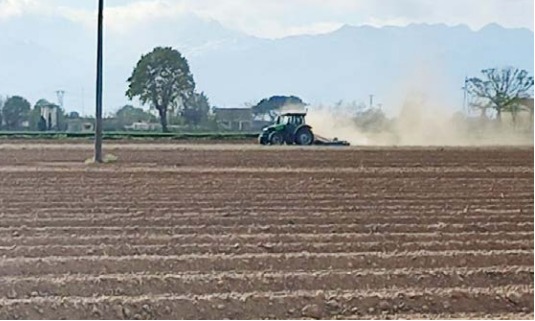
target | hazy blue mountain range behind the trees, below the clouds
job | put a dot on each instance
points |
(40, 55)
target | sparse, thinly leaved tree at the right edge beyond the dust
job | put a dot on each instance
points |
(500, 89)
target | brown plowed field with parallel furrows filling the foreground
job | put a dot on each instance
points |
(230, 231)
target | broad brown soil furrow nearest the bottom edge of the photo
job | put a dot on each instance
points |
(289, 304)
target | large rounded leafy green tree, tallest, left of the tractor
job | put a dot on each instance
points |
(162, 78)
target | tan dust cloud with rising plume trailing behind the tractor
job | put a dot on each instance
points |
(419, 121)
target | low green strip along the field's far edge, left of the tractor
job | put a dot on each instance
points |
(126, 135)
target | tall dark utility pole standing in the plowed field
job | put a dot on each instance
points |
(98, 116)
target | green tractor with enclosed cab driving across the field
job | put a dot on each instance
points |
(289, 128)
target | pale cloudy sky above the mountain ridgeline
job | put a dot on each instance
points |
(278, 18)
